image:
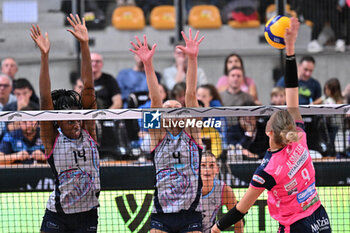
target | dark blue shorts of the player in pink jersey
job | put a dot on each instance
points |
(318, 222)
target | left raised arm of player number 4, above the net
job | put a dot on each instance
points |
(146, 56)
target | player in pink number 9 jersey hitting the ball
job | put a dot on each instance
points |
(286, 171)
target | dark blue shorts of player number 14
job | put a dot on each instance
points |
(84, 222)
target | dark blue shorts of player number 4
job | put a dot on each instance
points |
(177, 222)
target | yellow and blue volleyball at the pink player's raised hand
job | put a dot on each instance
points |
(275, 29)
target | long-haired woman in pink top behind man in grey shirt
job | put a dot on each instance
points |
(248, 84)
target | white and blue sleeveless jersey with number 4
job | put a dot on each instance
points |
(178, 182)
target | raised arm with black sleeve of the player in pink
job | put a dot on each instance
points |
(291, 76)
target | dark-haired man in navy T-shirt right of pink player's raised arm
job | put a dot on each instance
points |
(309, 88)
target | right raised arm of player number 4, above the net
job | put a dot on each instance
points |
(191, 50)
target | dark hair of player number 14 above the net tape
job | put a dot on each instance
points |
(66, 99)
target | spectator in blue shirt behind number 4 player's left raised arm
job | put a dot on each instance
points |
(133, 80)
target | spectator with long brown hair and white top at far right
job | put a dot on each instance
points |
(332, 92)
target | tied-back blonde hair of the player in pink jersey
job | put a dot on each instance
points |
(284, 128)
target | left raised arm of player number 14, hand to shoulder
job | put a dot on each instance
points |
(47, 130)
